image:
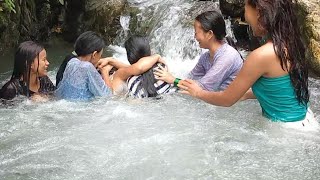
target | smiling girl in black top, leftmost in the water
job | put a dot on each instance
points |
(29, 75)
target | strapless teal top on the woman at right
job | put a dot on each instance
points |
(278, 100)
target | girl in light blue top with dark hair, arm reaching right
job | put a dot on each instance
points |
(78, 77)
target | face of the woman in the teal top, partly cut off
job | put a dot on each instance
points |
(252, 15)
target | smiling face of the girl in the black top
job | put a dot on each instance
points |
(40, 64)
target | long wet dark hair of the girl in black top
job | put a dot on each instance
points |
(24, 57)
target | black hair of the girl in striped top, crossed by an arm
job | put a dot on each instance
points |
(138, 47)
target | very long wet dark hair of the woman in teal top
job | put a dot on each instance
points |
(279, 19)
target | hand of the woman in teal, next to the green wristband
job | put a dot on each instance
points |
(190, 87)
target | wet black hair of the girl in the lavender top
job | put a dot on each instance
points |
(213, 20)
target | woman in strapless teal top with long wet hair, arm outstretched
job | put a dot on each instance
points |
(277, 71)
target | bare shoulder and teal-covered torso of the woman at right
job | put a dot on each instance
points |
(274, 90)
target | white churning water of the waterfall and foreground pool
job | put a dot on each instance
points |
(176, 137)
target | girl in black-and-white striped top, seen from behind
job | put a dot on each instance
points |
(137, 80)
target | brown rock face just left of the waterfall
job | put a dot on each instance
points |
(101, 16)
